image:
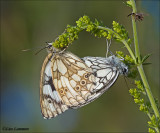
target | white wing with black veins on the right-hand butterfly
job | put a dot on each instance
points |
(106, 74)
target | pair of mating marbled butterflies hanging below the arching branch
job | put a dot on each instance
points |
(70, 82)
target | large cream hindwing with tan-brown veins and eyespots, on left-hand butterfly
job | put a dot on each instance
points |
(73, 79)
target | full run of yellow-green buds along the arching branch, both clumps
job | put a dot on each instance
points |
(84, 23)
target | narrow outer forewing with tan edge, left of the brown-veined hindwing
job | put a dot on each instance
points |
(50, 101)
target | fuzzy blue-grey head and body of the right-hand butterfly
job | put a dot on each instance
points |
(116, 62)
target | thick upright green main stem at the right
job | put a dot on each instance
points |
(140, 67)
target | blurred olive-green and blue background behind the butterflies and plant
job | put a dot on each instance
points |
(29, 24)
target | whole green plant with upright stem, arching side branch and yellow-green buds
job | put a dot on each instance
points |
(134, 61)
